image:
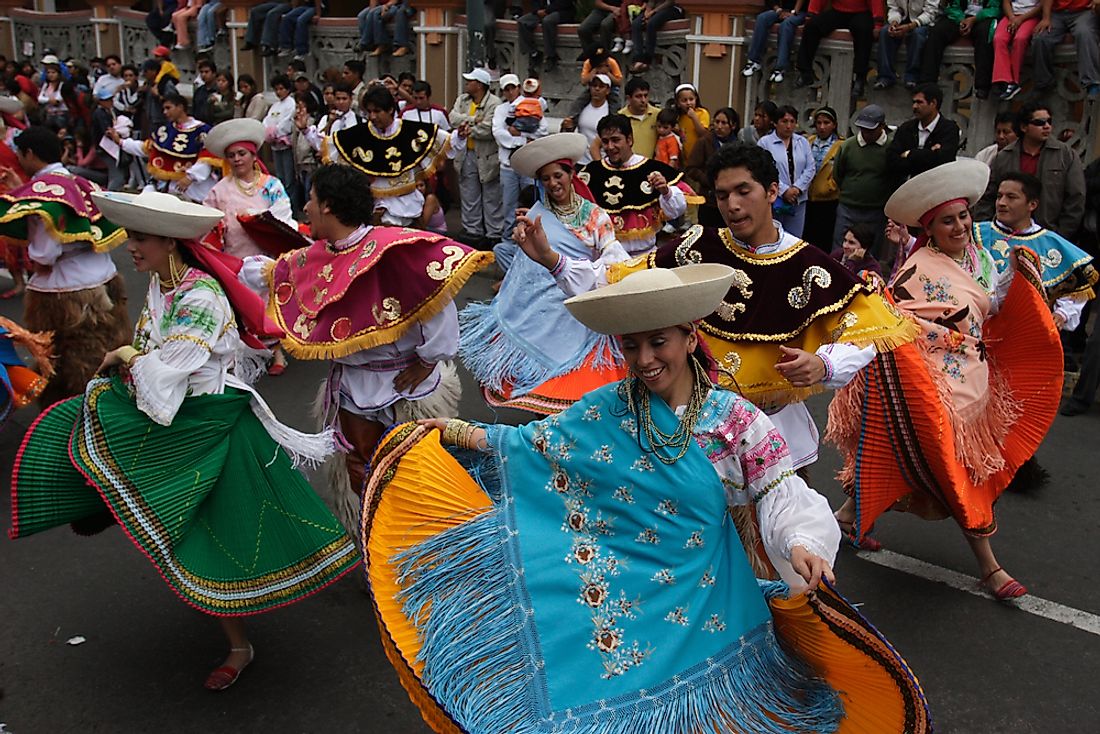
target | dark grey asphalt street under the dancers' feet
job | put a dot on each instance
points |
(986, 667)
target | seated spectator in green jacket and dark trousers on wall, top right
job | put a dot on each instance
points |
(972, 19)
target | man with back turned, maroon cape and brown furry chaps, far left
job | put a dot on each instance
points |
(74, 290)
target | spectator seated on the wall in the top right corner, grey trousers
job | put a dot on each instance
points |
(1060, 18)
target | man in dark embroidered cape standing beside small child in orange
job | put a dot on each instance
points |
(640, 194)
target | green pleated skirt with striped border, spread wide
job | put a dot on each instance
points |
(212, 500)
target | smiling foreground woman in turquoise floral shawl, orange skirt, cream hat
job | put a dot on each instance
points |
(620, 534)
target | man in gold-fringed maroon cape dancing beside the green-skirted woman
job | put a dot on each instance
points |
(379, 302)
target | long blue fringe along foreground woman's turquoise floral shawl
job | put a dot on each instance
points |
(457, 589)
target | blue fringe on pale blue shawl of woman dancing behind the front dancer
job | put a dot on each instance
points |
(496, 359)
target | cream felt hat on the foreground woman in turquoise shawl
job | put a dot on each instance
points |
(654, 299)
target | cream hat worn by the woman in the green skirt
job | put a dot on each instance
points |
(153, 213)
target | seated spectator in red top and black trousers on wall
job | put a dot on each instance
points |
(860, 17)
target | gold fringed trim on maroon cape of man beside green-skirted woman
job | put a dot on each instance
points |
(430, 309)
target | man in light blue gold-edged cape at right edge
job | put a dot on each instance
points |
(1069, 275)
